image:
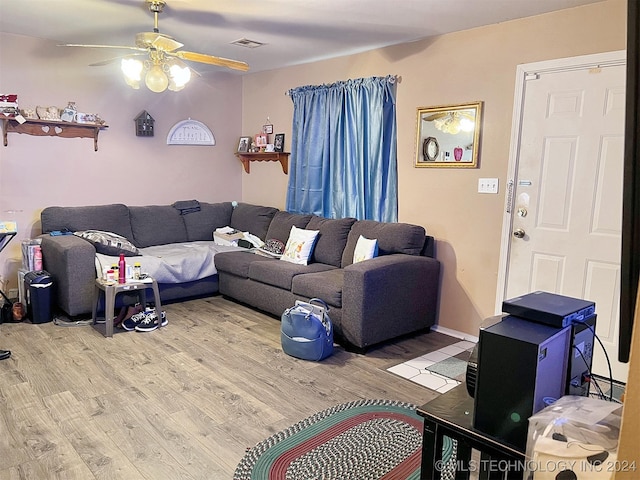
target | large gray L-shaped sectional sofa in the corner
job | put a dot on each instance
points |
(372, 301)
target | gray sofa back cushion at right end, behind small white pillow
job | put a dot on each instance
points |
(392, 238)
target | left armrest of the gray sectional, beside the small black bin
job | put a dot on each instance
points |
(70, 261)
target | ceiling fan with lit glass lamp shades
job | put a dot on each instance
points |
(164, 67)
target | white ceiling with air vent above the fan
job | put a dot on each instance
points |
(293, 31)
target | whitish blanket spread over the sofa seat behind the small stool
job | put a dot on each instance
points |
(173, 263)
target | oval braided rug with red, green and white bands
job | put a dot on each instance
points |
(363, 440)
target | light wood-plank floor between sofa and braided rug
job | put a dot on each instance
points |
(184, 401)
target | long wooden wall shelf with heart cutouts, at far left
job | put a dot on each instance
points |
(52, 128)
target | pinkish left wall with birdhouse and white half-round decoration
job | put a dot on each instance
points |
(36, 172)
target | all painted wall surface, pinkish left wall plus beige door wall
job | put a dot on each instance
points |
(477, 64)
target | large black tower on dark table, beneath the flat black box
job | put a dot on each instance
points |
(522, 367)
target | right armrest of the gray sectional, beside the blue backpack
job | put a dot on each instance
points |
(389, 296)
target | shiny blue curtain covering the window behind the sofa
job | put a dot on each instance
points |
(343, 150)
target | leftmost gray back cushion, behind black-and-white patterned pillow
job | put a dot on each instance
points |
(108, 218)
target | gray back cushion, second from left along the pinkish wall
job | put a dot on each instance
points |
(157, 225)
